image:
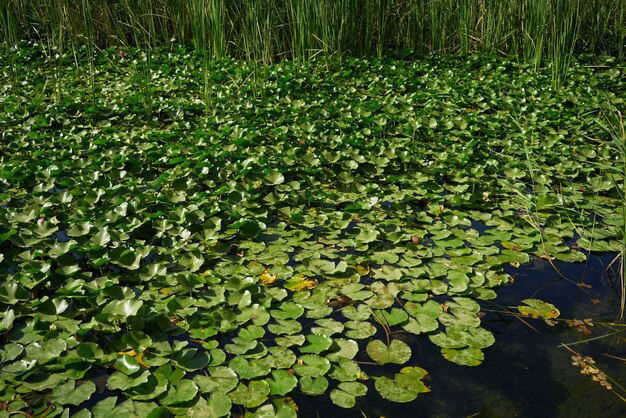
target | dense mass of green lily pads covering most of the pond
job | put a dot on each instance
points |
(220, 252)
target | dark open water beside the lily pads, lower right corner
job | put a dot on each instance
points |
(525, 373)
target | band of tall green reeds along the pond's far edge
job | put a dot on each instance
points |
(268, 30)
